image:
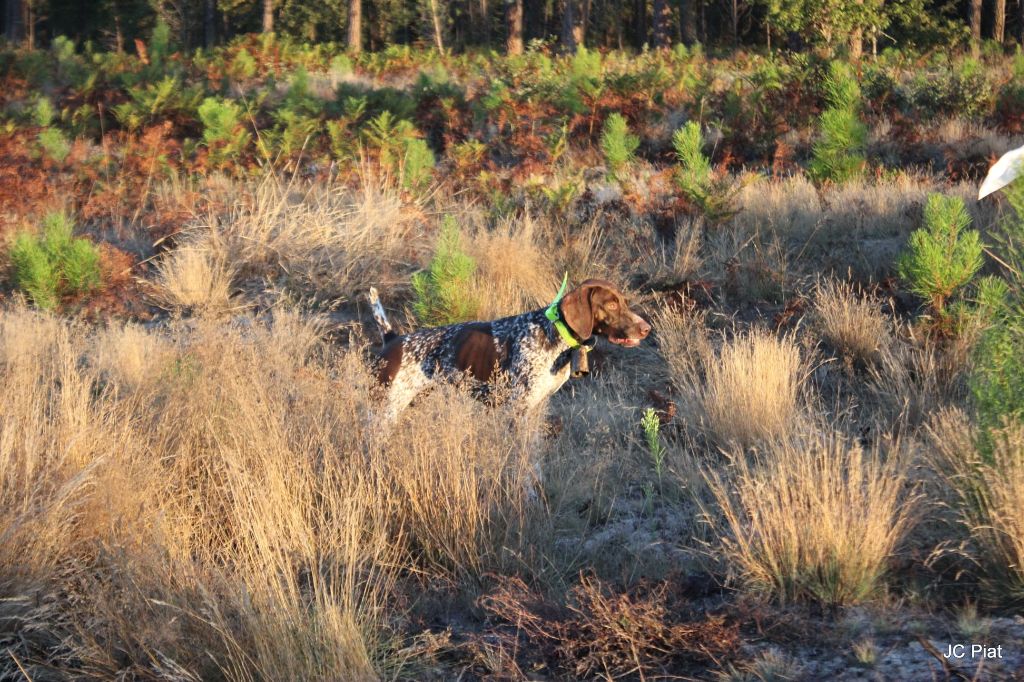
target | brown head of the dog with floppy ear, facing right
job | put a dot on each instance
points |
(598, 308)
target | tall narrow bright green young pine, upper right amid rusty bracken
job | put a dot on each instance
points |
(839, 154)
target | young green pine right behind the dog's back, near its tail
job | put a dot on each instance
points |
(444, 292)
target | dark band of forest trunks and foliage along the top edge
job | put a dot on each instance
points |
(461, 25)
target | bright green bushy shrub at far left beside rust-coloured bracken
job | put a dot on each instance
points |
(57, 265)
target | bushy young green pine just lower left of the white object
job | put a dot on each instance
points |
(944, 257)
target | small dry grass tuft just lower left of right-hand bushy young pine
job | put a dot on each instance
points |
(848, 323)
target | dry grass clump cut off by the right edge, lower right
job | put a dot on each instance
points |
(989, 490)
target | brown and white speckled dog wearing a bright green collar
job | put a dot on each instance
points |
(529, 349)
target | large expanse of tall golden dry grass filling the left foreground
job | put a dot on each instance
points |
(228, 511)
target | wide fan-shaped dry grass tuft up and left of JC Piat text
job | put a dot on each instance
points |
(815, 519)
